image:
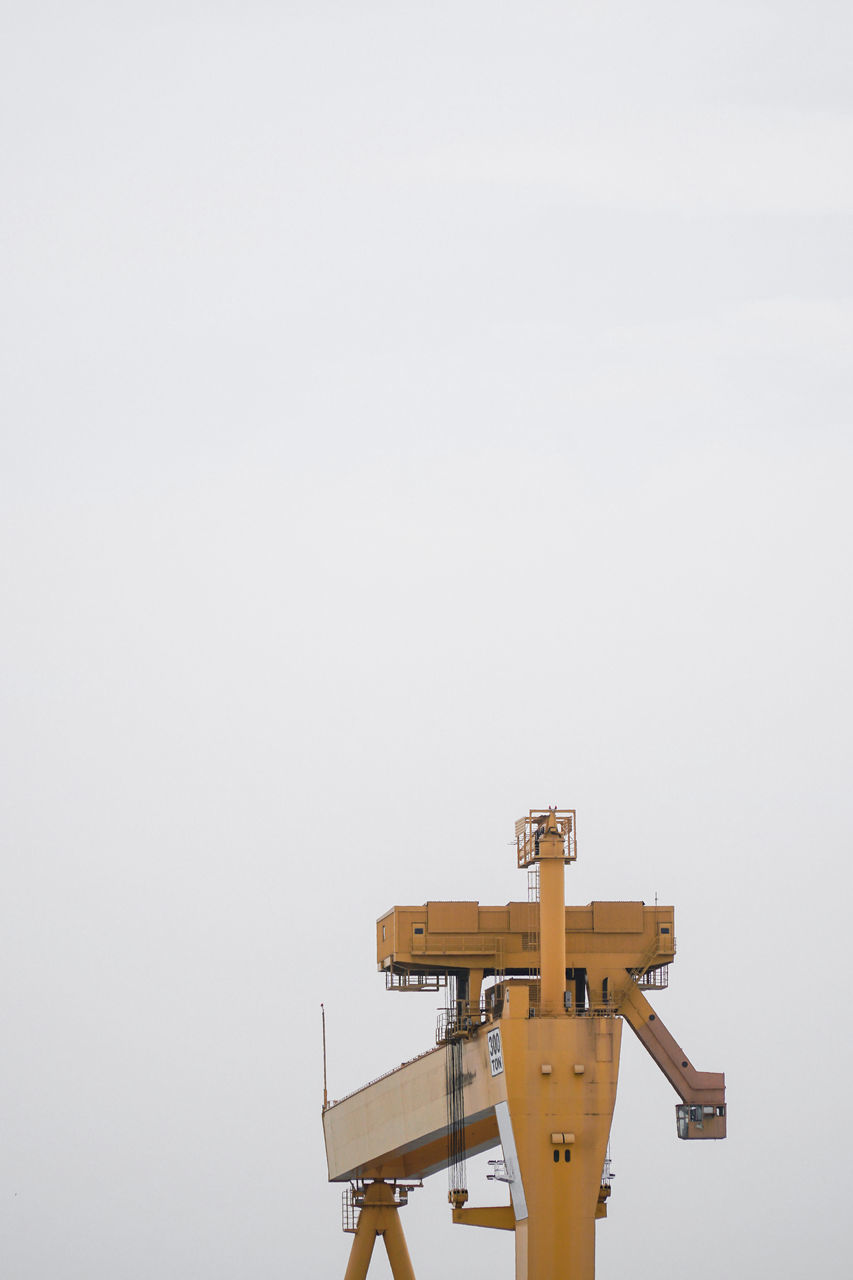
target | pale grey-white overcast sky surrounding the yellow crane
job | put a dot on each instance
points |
(413, 414)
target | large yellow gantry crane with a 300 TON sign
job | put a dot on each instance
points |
(527, 1058)
